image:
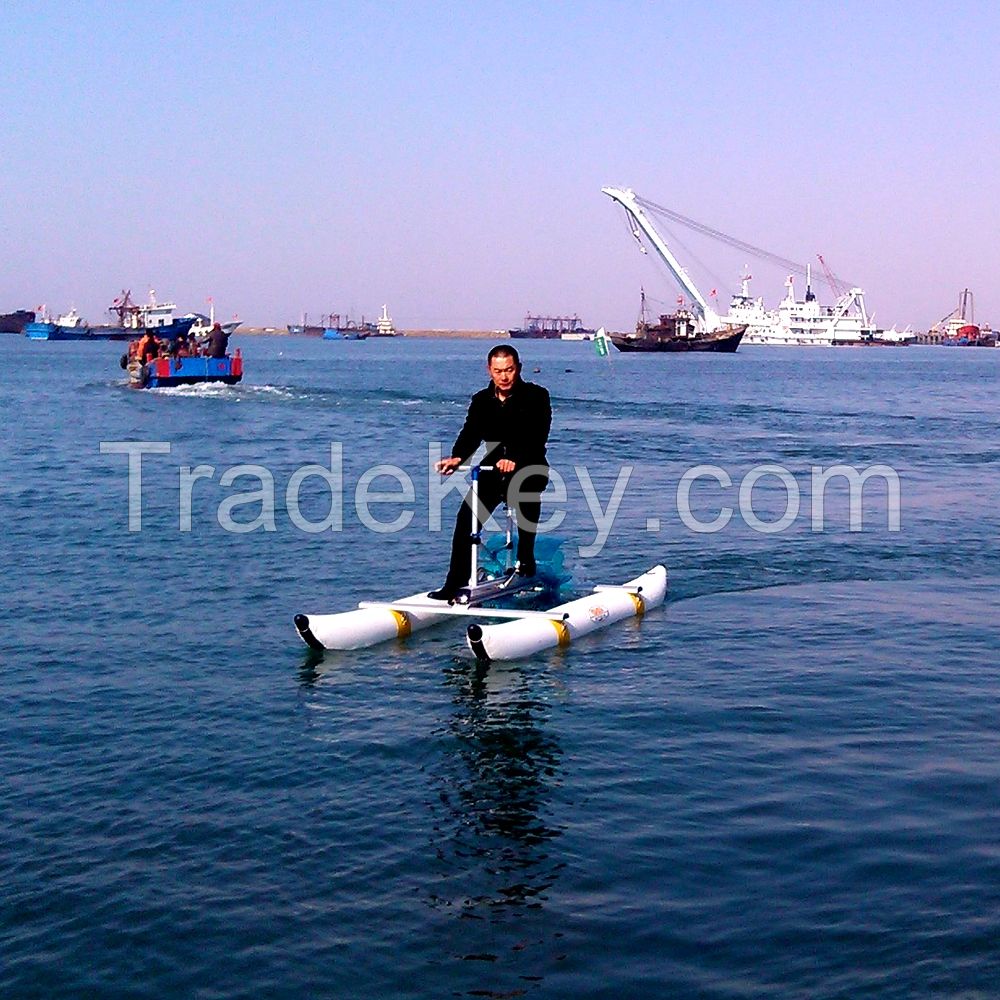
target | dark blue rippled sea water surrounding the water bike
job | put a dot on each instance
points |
(784, 783)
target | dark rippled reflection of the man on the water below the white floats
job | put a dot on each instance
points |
(495, 785)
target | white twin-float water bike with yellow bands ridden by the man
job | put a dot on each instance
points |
(522, 632)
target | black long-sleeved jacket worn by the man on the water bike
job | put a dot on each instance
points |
(517, 429)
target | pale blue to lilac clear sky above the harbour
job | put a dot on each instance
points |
(447, 158)
